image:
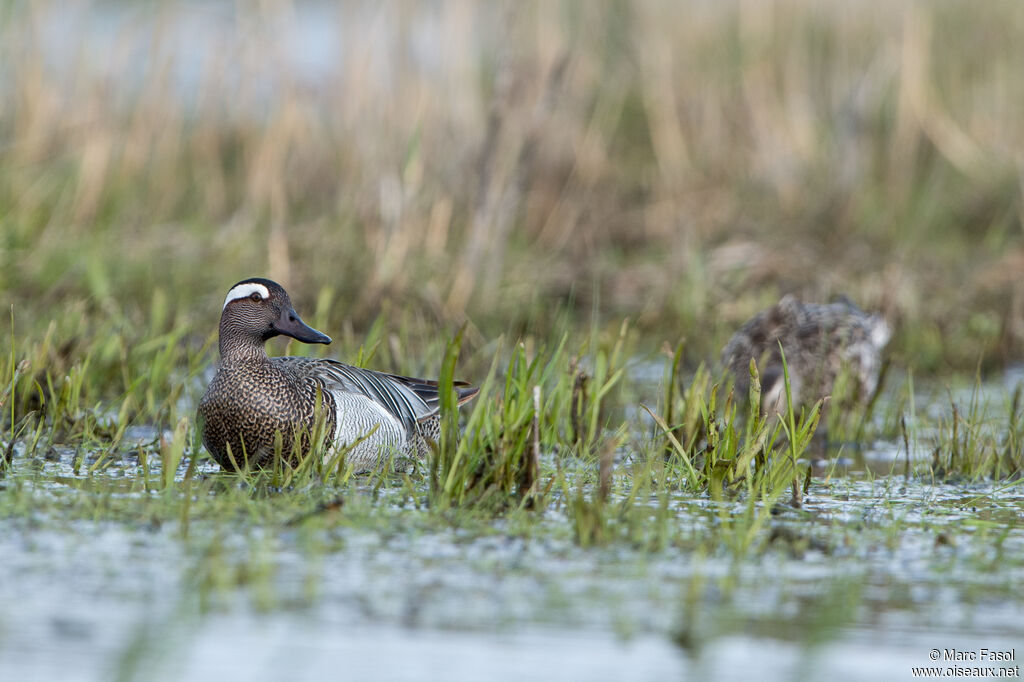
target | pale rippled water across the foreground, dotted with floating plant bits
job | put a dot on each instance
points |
(95, 601)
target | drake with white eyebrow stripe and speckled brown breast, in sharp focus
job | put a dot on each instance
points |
(254, 397)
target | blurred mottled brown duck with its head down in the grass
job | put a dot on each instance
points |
(820, 340)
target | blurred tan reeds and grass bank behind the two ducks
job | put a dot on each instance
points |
(518, 165)
